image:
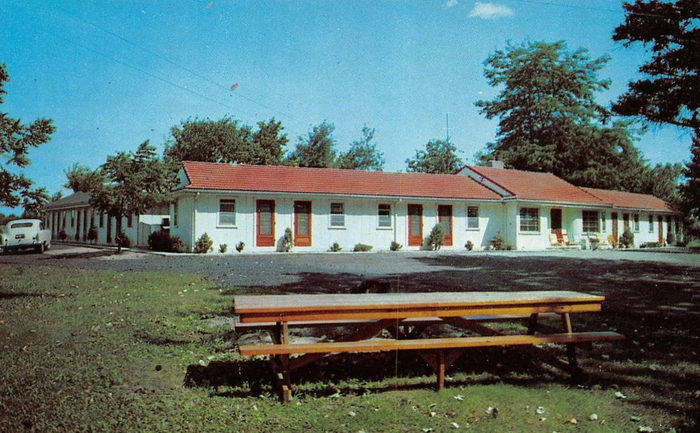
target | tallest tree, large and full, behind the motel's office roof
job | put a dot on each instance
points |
(549, 120)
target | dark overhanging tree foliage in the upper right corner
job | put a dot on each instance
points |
(669, 91)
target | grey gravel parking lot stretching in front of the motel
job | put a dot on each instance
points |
(406, 271)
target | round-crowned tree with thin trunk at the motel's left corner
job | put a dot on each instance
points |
(131, 184)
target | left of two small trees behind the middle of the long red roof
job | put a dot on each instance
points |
(316, 149)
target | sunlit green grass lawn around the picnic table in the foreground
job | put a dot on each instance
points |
(149, 352)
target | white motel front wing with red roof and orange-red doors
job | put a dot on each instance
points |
(529, 210)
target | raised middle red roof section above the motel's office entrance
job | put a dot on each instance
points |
(530, 185)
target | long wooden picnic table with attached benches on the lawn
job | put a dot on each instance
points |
(407, 315)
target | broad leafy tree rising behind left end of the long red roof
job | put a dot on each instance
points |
(221, 140)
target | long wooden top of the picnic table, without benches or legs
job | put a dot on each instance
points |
(266, 305)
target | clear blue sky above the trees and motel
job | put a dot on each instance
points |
(113, 74)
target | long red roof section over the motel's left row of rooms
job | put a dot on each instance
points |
(215, 176)
